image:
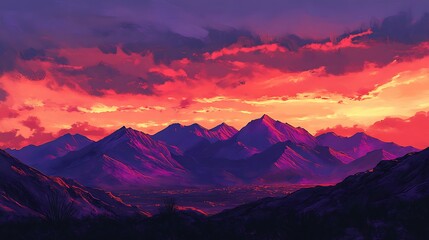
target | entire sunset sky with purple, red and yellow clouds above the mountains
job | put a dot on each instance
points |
(90, 67)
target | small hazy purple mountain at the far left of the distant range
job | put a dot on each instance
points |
(39, 156)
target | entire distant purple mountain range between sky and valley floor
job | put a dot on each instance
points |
(263, 151)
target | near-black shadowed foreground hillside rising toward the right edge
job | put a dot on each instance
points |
(389, 202)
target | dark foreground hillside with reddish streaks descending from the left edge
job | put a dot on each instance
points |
(25, 192)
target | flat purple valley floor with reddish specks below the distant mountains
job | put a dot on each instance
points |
(207, 200)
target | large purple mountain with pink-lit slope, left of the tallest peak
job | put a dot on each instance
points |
(127, 158)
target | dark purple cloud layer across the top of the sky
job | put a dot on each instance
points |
(172, 30)
